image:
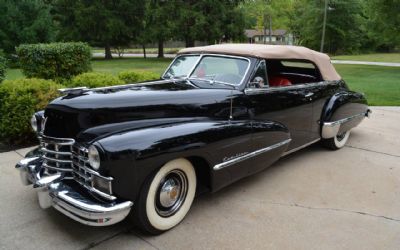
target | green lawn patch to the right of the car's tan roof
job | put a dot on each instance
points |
(380, 84)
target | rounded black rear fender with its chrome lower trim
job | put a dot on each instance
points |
(343, 111)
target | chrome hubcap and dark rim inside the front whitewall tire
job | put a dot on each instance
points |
(171, 193)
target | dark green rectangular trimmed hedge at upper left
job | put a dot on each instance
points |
(54, 60)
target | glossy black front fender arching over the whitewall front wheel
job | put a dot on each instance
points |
(132, 156)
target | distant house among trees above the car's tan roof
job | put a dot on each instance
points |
(278, 36)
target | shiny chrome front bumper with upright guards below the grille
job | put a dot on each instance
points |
(52, 191)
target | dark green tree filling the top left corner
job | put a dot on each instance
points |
(24, 21)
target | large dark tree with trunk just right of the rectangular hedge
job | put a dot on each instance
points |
(100, 22)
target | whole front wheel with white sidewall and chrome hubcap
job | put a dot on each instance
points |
(166, 197)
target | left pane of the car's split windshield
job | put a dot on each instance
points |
(181, 66)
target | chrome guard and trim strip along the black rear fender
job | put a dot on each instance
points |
(331, 129)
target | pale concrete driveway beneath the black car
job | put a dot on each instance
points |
(313, 199)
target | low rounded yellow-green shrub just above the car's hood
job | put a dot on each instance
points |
(93, 80)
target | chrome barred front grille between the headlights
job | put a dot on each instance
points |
(66, 156)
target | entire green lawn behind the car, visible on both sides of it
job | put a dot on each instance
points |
(380, 84)
